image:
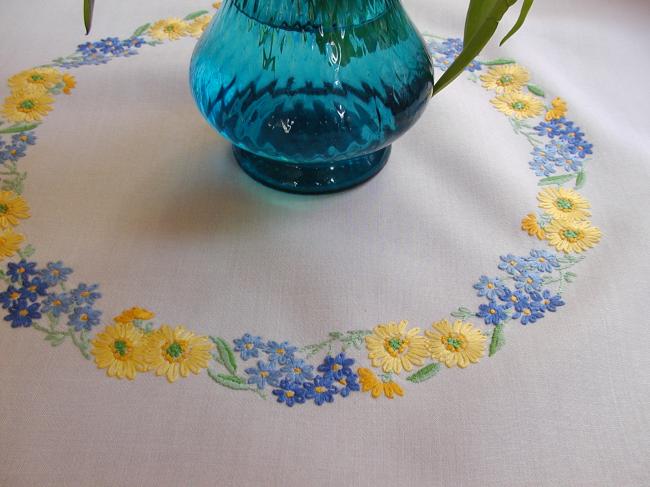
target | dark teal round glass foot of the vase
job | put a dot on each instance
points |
(310, 178)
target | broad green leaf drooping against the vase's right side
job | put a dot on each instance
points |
(482, 19)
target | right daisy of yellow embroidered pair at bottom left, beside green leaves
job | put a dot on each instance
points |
(175, 352)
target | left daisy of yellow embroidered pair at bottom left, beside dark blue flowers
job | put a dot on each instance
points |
(120, 350)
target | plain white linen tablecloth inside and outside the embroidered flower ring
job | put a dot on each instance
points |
(131, 187)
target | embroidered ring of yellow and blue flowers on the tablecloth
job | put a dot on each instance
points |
(526, 289)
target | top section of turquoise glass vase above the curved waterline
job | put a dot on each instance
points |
(310, 15)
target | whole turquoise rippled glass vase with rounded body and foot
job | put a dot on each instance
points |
(311, 92)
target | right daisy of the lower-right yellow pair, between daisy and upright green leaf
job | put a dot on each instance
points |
(458, 344)
